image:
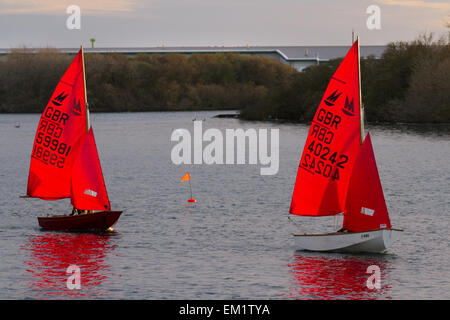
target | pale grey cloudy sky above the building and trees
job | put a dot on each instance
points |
(155, 23)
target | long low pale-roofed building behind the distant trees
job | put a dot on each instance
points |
(299, 57)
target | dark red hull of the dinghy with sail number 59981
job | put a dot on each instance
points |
(101, 220)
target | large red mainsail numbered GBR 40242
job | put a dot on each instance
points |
(332, 144)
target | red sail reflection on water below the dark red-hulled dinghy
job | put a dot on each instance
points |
(52, 253)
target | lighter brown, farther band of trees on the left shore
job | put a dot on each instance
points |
(144, 82)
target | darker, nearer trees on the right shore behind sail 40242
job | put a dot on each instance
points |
(409, 83)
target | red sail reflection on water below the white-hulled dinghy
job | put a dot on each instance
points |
(327, 277)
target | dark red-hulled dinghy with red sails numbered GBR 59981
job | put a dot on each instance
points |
(64, 161)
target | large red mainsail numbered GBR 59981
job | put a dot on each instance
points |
(61, 128)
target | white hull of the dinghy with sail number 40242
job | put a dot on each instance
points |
(375, 241)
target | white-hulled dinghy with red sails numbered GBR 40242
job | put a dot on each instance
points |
(338, 173)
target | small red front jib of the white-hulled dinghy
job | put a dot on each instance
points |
(366, 208)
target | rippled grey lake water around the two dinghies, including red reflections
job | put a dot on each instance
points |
(236, 241)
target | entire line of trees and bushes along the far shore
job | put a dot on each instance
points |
(409, 83)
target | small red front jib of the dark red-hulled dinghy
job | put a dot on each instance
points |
(88, 186)
